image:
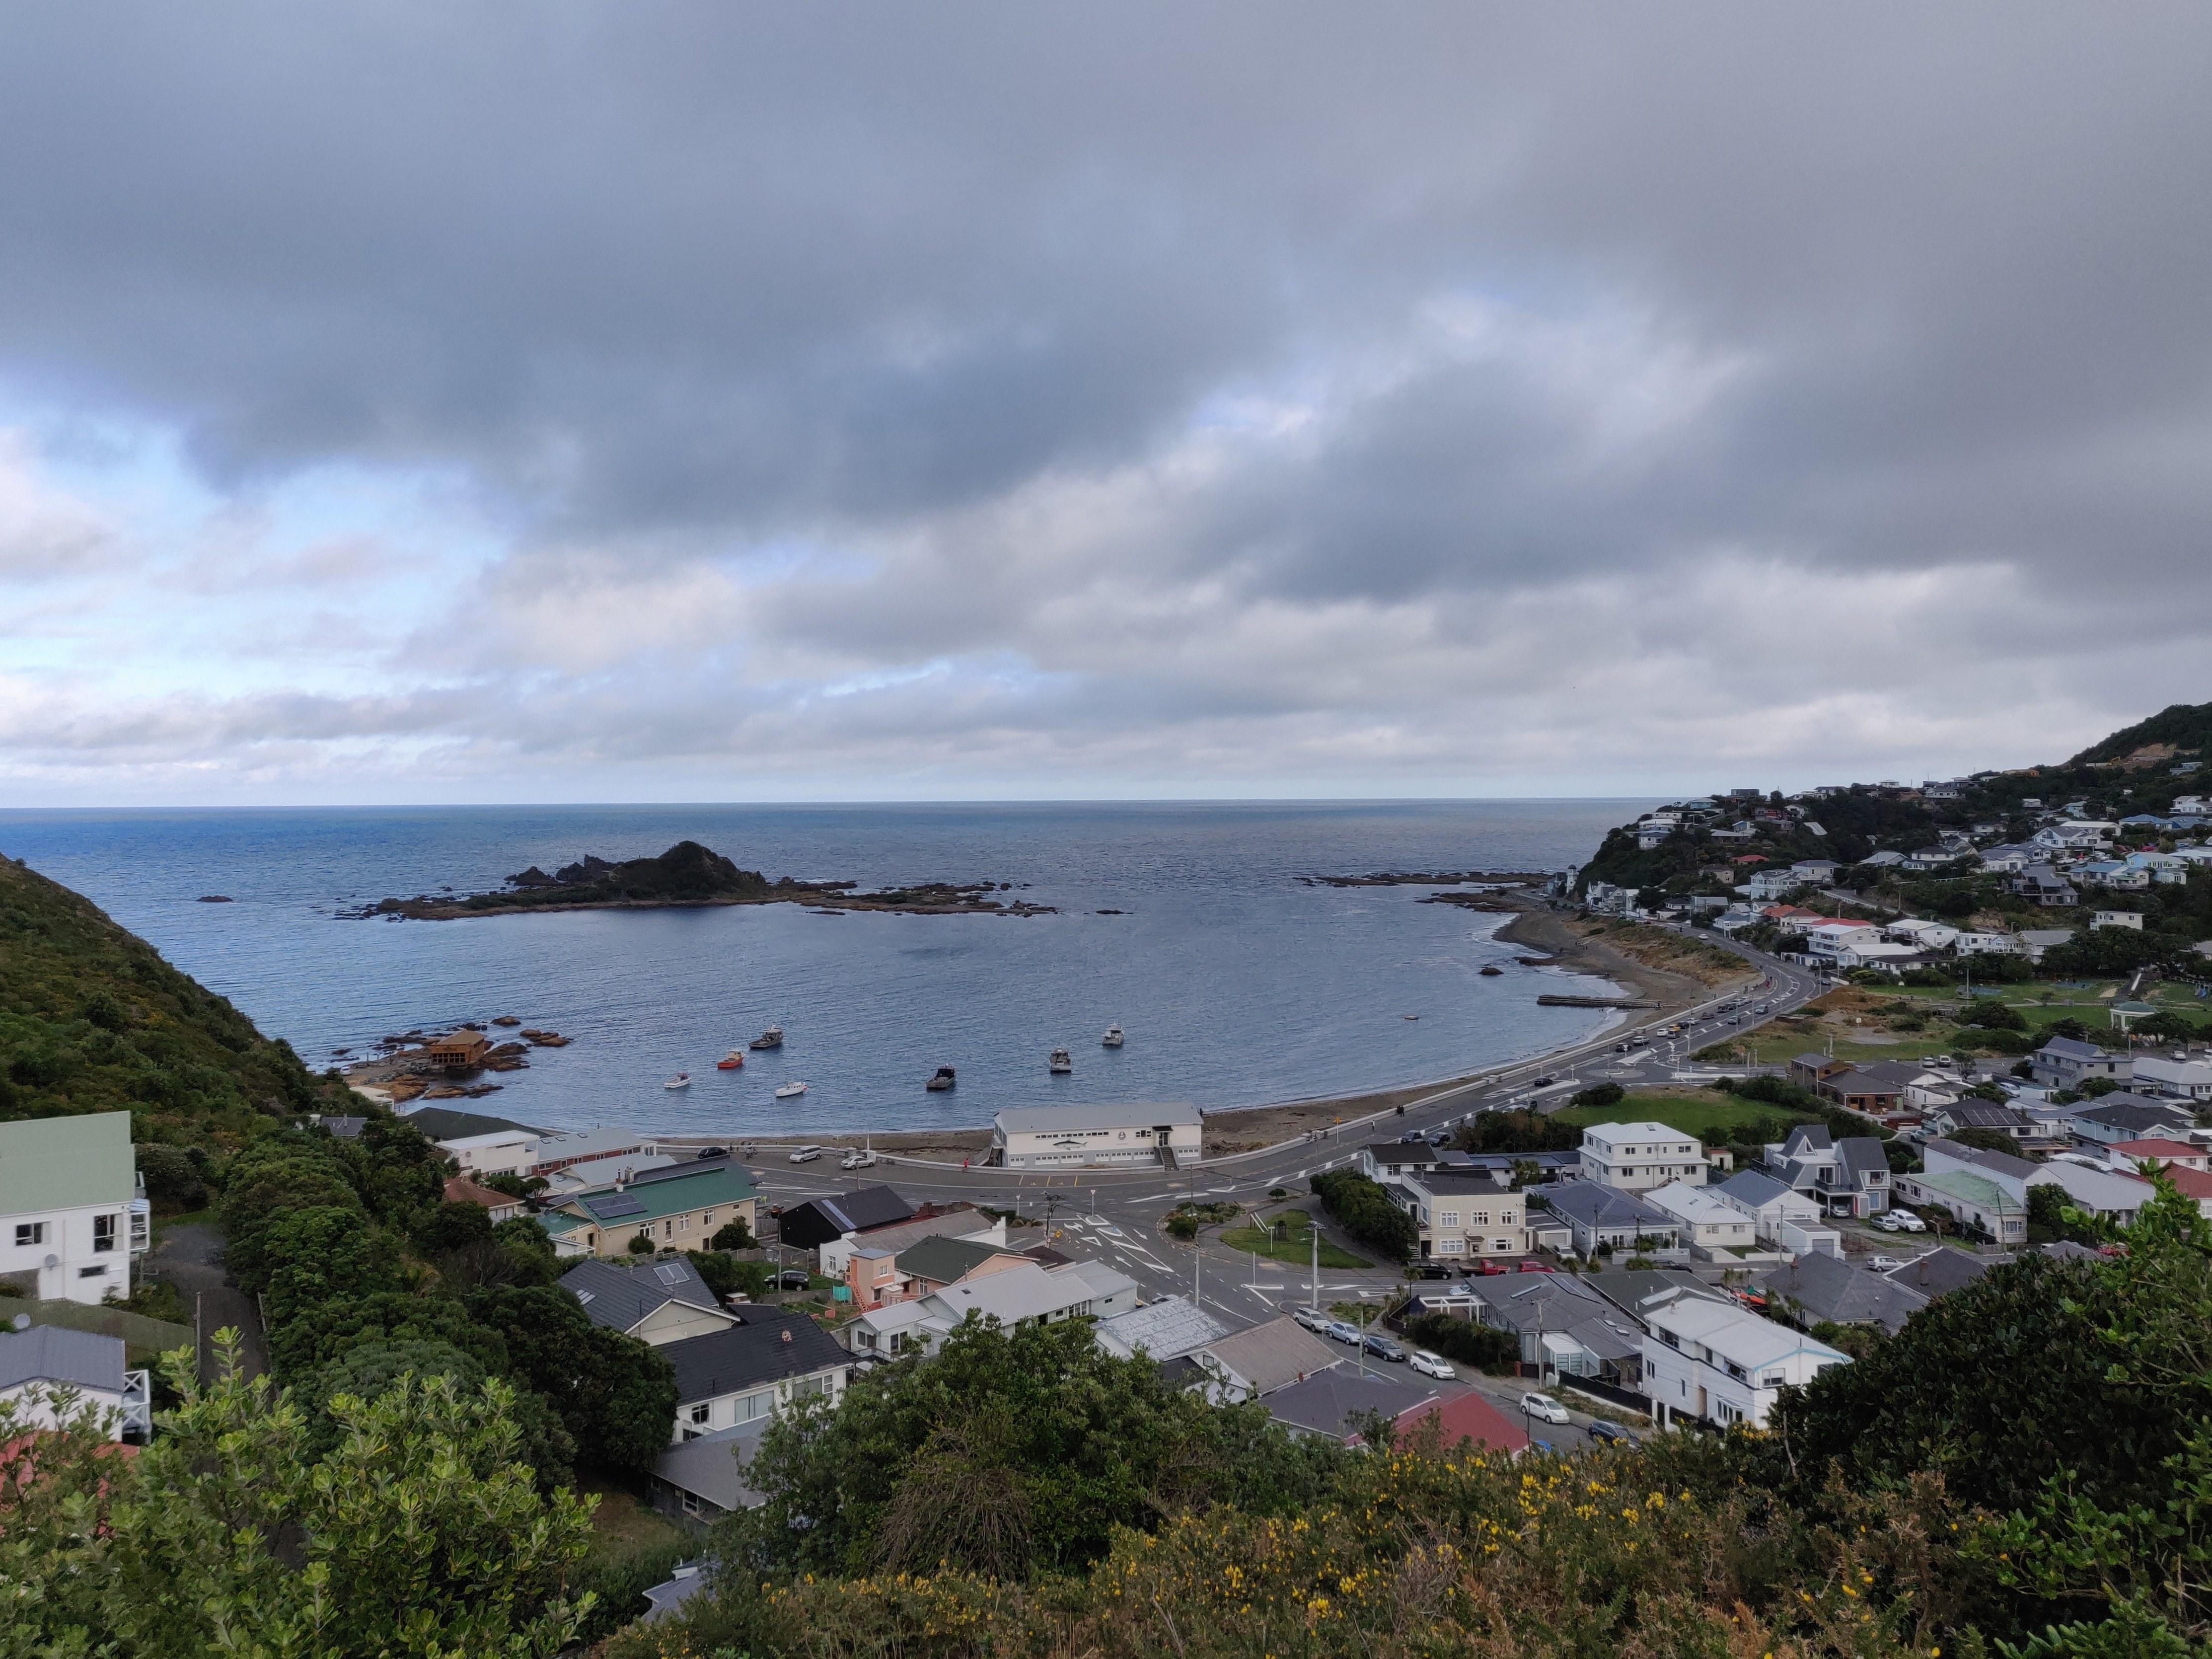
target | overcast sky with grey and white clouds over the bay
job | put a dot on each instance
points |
(815, 401)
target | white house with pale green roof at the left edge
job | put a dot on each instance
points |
(72, 1209)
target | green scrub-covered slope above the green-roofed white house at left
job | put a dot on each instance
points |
(94, 1021)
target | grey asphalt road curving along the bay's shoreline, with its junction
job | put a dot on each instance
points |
(1114, 1215)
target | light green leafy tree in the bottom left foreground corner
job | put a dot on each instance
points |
(415, 1536)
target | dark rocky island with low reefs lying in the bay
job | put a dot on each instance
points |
(693, 875)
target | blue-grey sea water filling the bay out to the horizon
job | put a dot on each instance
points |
(1238, 983)
